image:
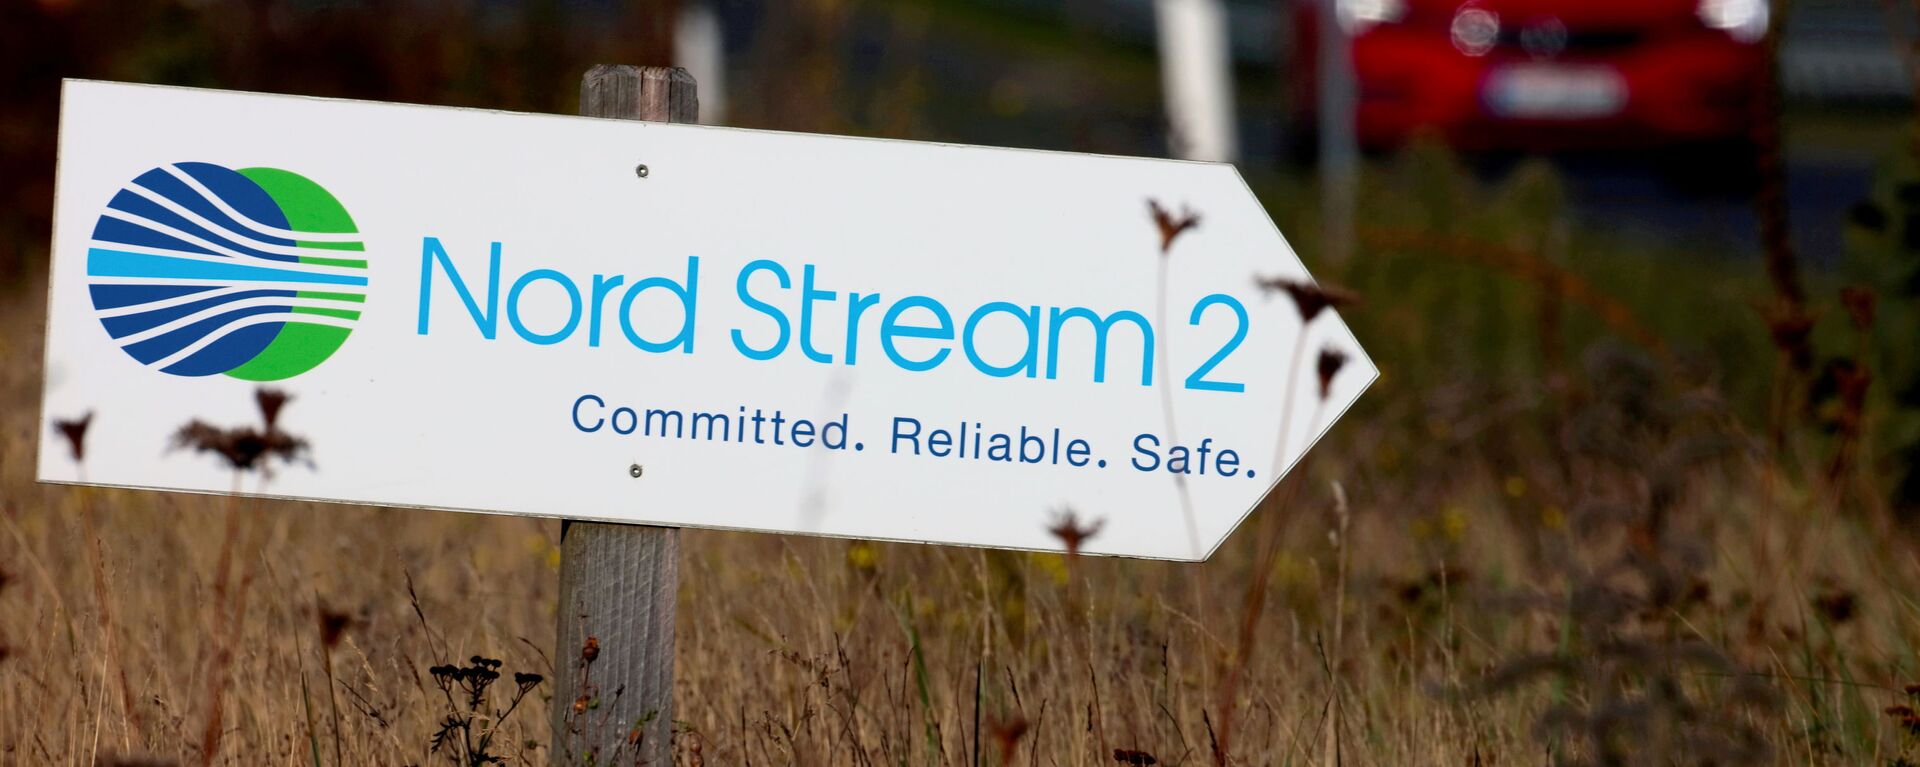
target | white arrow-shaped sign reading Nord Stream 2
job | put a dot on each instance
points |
(498, 312)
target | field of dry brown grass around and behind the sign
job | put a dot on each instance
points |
(1606, 562)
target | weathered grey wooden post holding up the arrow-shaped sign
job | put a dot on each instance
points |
(619, 581)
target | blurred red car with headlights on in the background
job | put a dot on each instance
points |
(1548, 74)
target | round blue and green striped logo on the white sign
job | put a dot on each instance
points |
(203, 270)
